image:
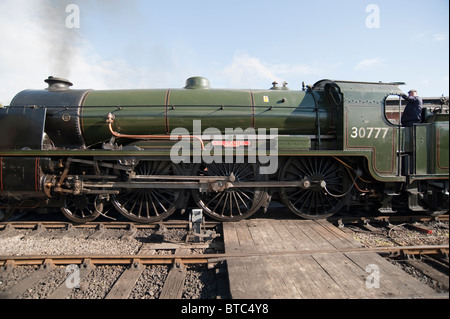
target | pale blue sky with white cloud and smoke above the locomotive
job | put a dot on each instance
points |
(243, 44)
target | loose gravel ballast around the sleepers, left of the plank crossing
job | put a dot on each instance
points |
(199, 283)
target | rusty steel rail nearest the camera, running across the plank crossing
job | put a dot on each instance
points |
(207, 258)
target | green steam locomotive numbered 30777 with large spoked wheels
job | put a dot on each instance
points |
(148, 153)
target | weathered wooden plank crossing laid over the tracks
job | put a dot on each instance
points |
(320, 274)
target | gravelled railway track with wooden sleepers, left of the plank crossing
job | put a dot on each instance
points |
(151, 248)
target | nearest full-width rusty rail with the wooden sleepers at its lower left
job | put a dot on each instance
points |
(131, 268)
